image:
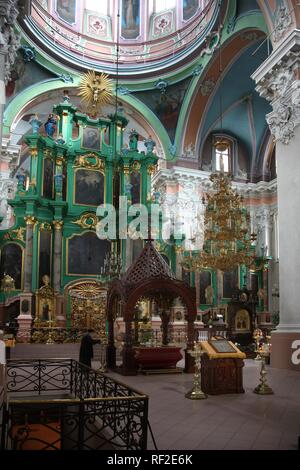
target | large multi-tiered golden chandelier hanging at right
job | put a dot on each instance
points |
(227, 241)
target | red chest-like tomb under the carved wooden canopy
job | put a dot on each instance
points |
(158, 359)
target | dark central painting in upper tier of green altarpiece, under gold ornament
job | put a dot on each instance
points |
(89, 187)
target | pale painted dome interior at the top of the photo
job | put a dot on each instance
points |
(137, 36)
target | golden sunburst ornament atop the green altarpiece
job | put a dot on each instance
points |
(95, 90)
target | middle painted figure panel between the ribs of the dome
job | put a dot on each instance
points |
(130, 20)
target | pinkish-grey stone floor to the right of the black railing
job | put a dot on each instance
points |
(244, 421)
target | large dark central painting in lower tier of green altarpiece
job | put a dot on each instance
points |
(86, 254)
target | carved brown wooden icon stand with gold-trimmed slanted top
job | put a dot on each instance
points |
(221, 368)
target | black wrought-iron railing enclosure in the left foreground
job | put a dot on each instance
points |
(61, 404)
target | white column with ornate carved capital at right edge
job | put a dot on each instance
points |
(278, 80)
